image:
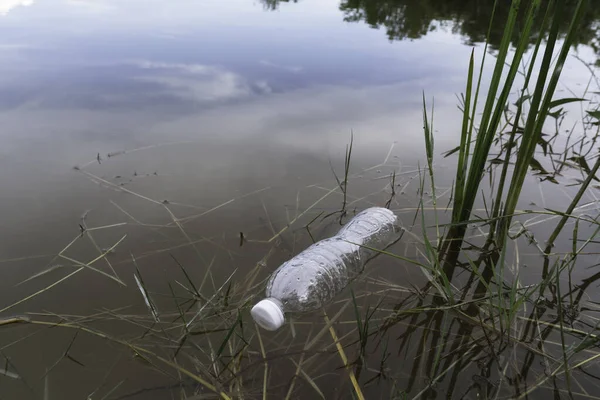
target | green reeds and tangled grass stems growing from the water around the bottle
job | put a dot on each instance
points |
(481, 324)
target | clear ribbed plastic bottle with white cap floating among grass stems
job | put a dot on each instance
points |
(315, 276)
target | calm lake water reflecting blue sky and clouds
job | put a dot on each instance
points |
(206, 133)
